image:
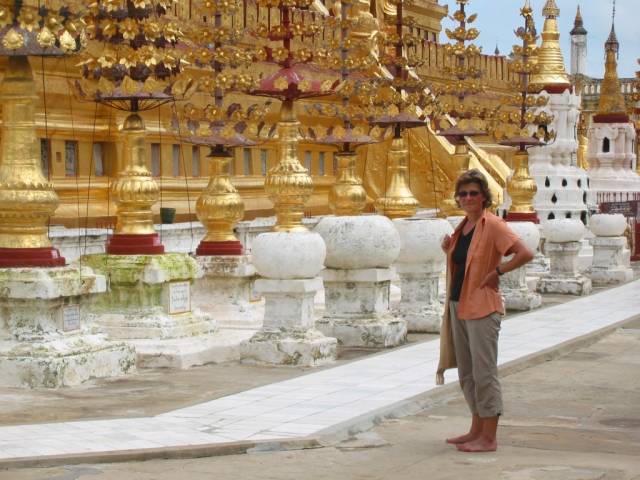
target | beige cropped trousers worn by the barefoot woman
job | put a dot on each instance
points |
(476, 347)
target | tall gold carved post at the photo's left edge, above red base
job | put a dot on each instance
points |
(27, 200)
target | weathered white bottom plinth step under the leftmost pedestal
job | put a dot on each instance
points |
(63, 362)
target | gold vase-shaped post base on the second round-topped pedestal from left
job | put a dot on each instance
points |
(347, 196)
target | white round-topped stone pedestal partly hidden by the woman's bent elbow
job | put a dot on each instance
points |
(514, 285)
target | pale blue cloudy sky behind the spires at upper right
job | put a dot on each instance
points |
(498, 18)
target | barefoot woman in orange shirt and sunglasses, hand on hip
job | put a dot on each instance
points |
(474, 307)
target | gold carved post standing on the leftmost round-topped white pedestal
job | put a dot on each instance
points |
(288, 184)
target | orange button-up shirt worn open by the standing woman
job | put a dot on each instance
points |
(491, 241)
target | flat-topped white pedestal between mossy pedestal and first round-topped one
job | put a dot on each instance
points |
(225, 291)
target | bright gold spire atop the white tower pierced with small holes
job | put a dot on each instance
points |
(551, 75)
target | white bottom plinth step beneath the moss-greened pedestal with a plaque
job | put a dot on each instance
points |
(181, 353)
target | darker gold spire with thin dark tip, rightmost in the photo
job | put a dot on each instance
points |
(612, 107)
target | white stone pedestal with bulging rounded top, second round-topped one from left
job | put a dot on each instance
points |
(357, 281)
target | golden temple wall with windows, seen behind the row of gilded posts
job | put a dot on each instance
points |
(70, 128)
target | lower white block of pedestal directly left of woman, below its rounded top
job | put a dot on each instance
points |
(419, 304)
